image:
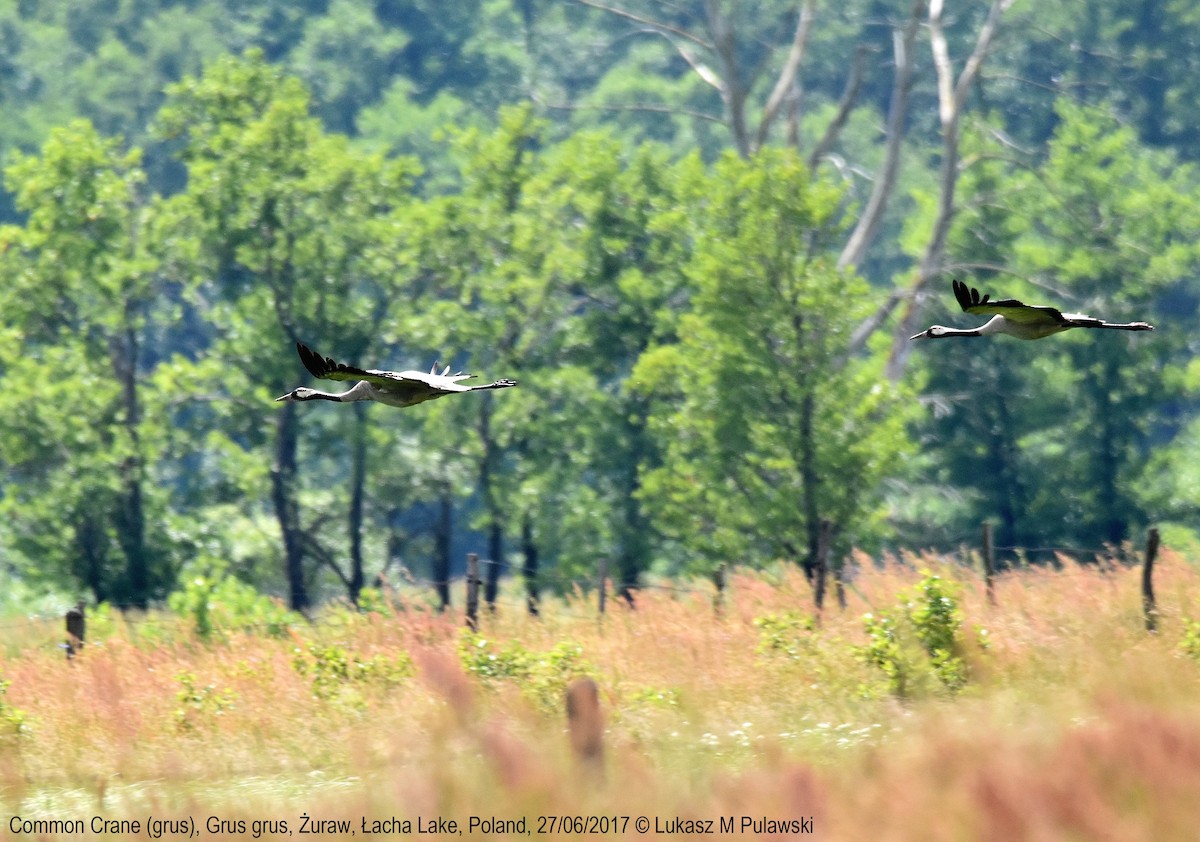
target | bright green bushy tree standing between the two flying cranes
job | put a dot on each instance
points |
(767, 429)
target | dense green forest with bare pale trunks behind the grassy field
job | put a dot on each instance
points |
(699, 236)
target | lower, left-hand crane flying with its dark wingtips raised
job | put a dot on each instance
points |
(397, 389)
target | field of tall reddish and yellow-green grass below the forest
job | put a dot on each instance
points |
(1053, 715)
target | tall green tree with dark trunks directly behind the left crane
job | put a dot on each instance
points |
(289, 225)
